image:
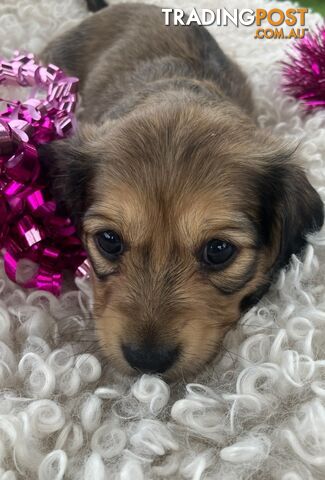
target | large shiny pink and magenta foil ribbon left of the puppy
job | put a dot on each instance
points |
(30, 225)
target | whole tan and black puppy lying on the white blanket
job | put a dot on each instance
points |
(187, 209)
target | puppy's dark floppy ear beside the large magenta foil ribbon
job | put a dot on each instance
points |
(69, 172)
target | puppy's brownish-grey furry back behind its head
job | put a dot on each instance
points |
(126, 50)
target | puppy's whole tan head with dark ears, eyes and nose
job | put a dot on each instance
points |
(186, 215)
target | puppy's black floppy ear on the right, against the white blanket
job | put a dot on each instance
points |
(290, 208)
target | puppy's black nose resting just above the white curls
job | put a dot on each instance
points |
(149, 359)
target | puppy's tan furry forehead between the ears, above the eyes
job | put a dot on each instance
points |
(178, 173)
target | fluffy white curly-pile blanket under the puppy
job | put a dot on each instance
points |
(258, 414)
